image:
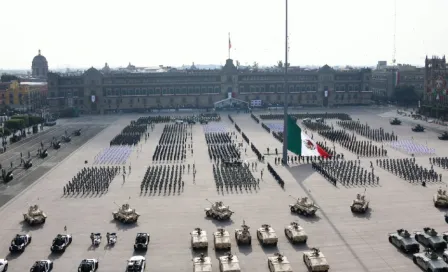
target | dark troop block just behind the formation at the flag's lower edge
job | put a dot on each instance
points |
(361, 148)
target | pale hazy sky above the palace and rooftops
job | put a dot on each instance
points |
(86, 33)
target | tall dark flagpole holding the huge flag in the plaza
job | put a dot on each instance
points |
(286, 92)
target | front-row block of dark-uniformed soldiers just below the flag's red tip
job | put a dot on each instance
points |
(347, 173)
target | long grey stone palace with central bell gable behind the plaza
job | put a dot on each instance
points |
(96, 91)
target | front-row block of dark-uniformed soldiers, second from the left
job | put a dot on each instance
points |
(164, 178)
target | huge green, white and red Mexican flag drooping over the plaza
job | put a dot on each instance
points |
(300, 143)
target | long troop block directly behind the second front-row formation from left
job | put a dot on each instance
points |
(172, 143)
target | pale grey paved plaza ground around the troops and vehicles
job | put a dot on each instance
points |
(351, 243)
